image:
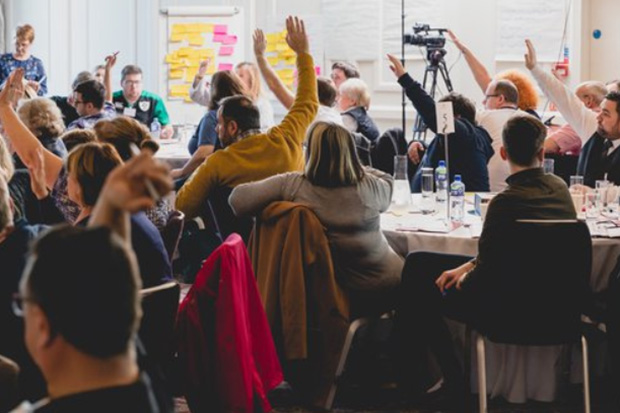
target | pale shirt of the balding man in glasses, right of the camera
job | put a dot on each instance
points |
(493, 122)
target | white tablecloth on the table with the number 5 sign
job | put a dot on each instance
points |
(513, 372)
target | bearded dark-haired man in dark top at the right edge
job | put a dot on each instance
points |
(599, 158)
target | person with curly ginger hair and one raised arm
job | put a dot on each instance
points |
(528, 95)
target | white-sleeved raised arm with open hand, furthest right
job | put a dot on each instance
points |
(582, 119)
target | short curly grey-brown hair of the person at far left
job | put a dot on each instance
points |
(42, 117)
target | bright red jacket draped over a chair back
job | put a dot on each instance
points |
(227, 355)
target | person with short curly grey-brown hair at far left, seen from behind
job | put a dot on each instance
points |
(43, 118)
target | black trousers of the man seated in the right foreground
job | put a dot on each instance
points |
(419, 322)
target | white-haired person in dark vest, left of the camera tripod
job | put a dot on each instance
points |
(353, 102)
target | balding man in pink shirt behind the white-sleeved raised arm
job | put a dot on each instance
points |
(566, 140)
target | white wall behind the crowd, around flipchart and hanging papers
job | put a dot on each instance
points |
(75, 35)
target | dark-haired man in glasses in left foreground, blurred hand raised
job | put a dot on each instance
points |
(80, 303)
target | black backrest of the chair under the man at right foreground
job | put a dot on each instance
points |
(536, 284)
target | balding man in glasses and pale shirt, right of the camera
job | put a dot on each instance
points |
(500, 104)
